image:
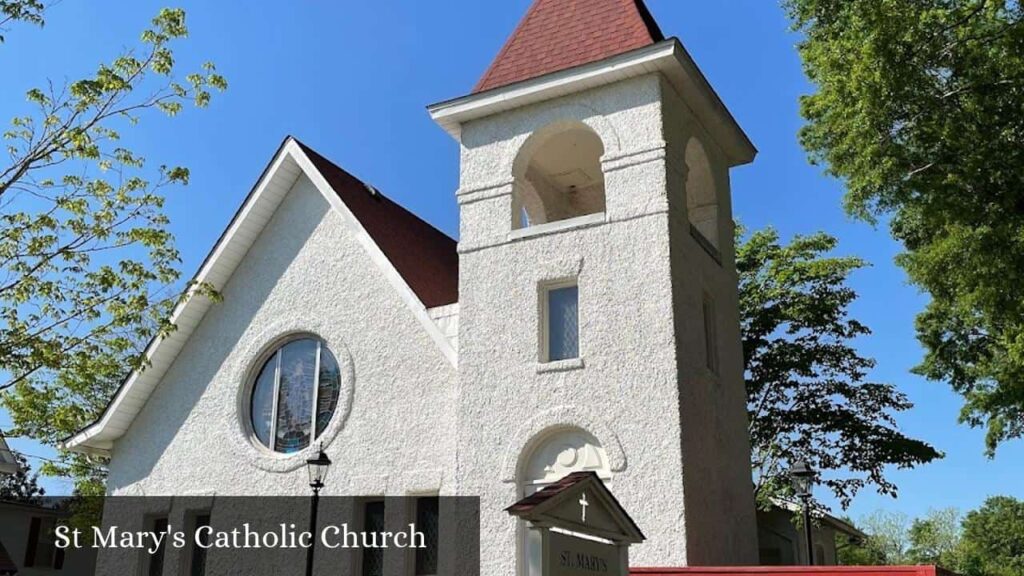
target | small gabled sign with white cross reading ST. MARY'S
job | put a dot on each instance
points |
(584, 529)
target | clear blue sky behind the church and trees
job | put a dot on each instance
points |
(353, 79)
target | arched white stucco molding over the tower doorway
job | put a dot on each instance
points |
(561, 418)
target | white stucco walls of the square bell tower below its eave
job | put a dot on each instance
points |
(636, 390)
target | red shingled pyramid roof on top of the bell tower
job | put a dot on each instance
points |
(562, 34)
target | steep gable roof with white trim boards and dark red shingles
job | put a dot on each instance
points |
(419, 262)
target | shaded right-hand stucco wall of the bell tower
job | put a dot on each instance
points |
(721, 518)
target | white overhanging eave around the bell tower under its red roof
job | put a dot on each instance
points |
(668, 58)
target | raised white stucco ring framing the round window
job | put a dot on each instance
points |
(252, 361)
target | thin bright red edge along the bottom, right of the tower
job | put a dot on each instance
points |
(796, 571)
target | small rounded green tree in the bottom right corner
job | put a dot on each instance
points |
(994, 540)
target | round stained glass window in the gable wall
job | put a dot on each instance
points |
(295, 396)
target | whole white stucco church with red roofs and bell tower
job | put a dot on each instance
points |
(586, 320)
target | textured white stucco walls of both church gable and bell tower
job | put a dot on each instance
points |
(675, 435)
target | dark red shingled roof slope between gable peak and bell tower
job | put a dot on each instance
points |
(426, 258)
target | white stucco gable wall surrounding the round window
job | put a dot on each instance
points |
(307, 273)
